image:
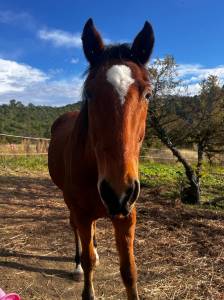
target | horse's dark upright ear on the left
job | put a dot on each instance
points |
(92, 42)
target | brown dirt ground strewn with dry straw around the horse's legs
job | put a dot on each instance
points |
(179, 251)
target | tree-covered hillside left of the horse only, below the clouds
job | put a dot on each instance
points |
(31, 120)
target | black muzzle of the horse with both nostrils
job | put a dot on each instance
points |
(118, 205)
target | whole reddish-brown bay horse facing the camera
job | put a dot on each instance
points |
(94, 154)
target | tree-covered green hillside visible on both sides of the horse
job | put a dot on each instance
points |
(36, 121)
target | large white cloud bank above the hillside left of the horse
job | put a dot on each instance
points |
(27, 84)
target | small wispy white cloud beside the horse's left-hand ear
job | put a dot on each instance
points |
(61, 38)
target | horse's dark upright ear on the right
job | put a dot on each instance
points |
(143, 44)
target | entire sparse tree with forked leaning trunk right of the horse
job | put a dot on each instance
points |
(197, 121)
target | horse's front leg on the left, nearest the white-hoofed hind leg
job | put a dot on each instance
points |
(88, 257)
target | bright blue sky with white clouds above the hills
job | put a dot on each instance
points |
(41, 59)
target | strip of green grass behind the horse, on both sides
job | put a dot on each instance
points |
(152, 174)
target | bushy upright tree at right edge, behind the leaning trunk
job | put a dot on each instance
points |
(208, 120)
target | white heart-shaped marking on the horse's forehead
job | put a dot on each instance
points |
(120, 77)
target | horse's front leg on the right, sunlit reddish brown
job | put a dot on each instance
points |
(124, 234)
